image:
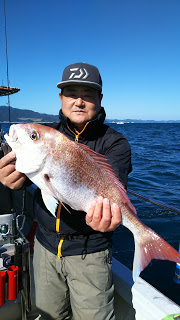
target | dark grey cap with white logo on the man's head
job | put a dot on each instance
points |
(81, 74)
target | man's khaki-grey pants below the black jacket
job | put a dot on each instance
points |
(73, 286)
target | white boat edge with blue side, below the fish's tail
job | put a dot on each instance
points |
(139, 300)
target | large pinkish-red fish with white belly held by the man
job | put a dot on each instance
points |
(72, 173)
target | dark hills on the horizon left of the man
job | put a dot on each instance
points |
(20, 115)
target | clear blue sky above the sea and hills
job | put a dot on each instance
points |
(134, 43)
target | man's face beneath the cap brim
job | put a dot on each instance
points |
(80, 104)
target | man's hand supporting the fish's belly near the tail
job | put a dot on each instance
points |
(102, 216)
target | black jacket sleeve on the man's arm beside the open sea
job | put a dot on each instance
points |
(118, 154)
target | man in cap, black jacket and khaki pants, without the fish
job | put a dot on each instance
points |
(72, 254)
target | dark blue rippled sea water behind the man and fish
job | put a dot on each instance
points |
(156, 161)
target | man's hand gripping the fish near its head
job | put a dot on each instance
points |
(8, 175)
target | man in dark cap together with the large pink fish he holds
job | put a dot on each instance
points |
(80, 166)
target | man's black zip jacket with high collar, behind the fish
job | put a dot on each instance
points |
(79, 237)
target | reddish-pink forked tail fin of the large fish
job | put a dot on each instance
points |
(154, 247)
